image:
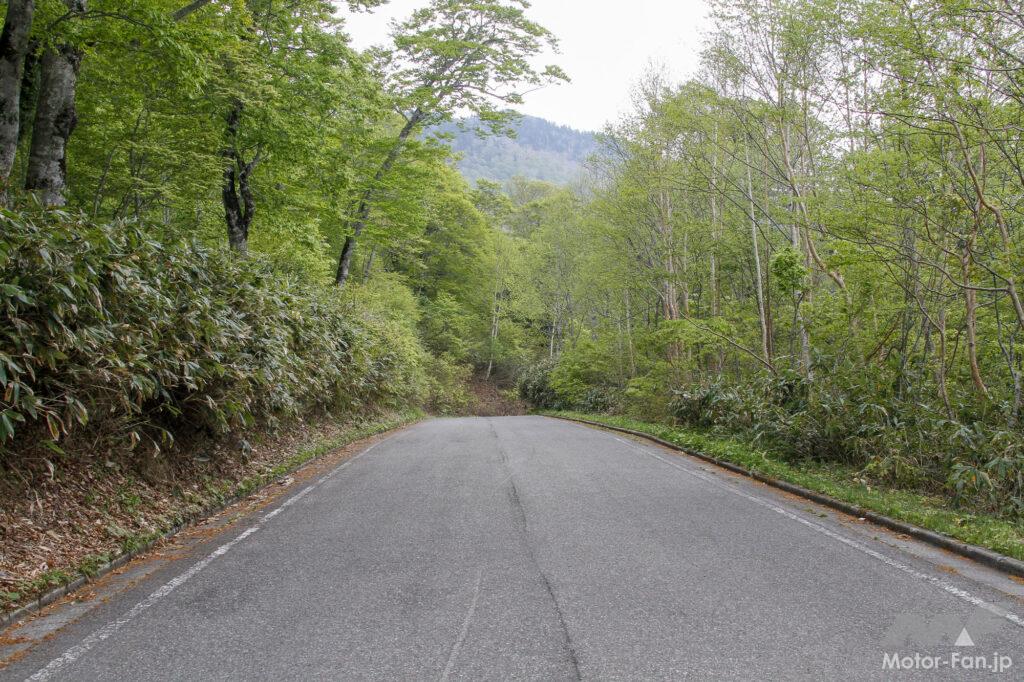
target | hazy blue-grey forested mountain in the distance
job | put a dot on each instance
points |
(541, 151)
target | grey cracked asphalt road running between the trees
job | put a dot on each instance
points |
(530, 548)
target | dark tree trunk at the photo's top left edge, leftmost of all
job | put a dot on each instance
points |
(14, 48)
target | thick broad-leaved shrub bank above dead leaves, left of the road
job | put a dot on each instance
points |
(148, 339)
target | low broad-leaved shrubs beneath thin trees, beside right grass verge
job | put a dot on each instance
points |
(852, 416)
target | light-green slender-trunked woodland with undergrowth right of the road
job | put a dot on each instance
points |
(817, 243)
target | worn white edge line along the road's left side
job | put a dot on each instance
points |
(83, 648)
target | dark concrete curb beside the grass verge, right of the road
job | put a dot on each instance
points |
(980, 555)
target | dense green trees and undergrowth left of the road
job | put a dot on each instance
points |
(185, 189)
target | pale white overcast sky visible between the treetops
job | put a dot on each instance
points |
(606, 46)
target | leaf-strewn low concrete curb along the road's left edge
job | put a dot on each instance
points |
(52, 596)
